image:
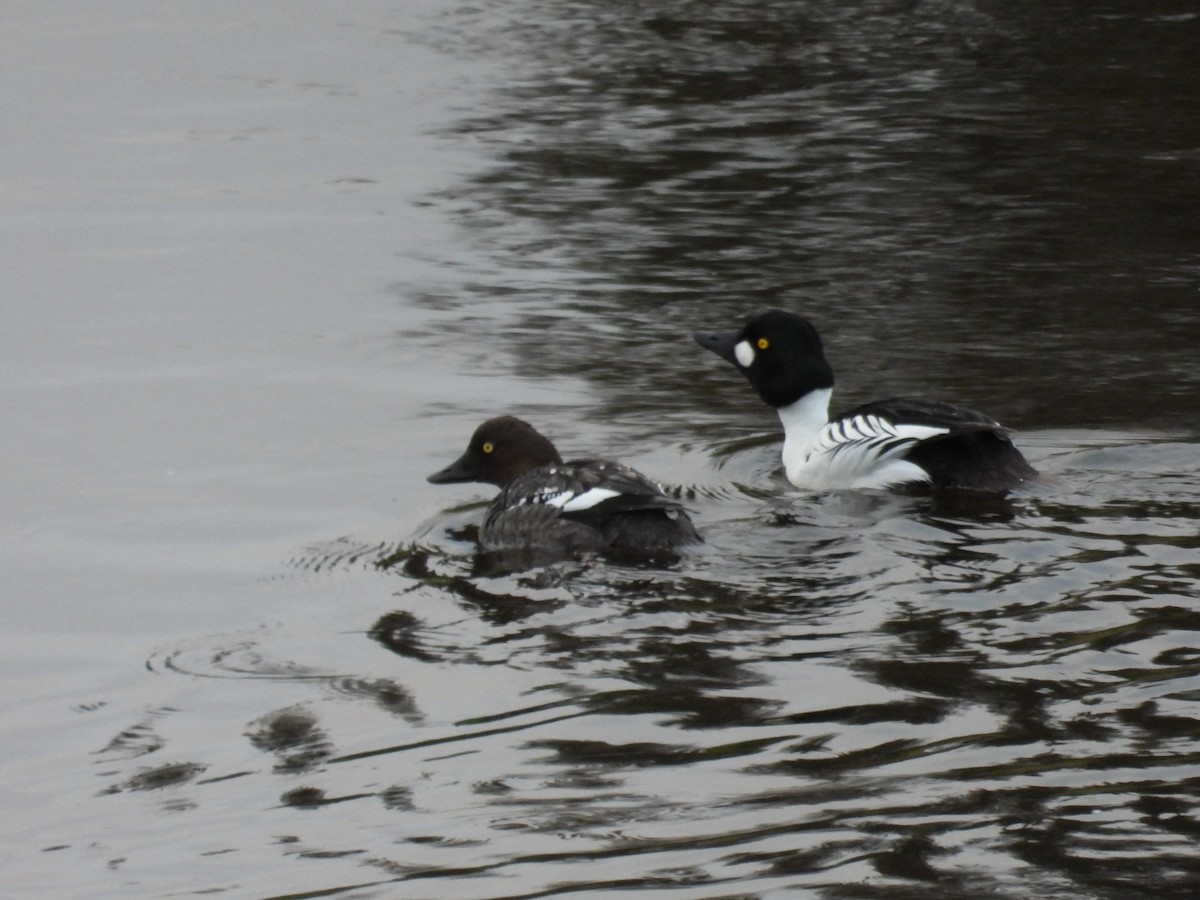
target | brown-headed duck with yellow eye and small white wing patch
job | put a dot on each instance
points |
(571, 508)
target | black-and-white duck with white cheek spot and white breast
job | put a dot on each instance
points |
(899, 443)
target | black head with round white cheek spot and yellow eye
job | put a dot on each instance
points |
(778, 352)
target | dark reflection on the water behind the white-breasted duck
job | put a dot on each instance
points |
(988, 203)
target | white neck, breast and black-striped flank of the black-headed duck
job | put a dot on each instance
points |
(859, 453)
